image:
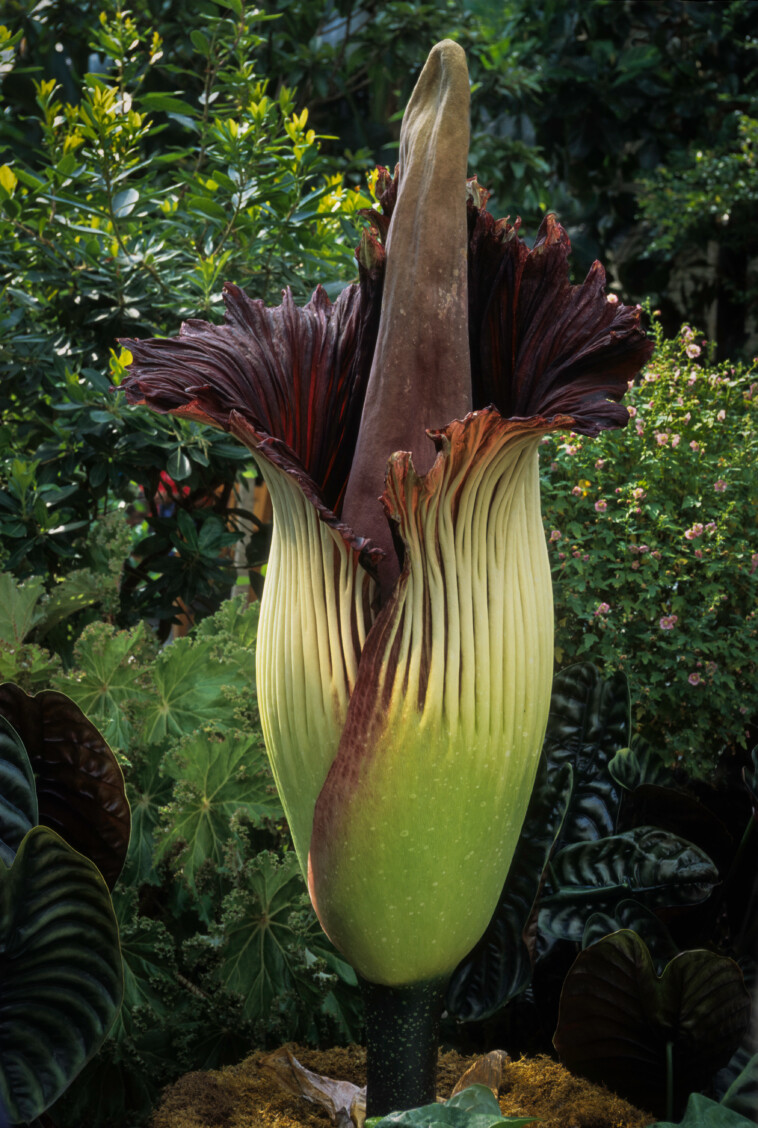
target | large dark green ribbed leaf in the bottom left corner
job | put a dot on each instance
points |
(60, 970)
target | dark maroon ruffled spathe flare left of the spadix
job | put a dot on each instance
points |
(287, 382)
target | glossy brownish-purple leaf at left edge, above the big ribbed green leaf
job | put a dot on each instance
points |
(81, 788)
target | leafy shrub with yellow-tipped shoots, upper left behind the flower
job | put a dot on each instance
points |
(124, 210)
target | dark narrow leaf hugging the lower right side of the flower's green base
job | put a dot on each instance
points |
(500, 967)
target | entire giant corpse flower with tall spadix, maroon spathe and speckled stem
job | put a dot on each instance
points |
(406, 647)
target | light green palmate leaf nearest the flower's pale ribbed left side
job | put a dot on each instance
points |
(189, 683)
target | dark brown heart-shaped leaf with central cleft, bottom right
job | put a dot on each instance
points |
(620, 1024)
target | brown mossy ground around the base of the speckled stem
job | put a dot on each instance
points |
(243, 1097)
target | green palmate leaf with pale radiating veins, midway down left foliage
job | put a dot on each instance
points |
(218, 778)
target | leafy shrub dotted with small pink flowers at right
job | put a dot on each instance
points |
(666, 534)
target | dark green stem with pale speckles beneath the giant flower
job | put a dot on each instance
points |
(402, 1037)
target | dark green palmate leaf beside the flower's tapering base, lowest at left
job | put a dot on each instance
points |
(258, 936)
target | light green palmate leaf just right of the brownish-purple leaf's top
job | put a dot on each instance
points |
(108, 680)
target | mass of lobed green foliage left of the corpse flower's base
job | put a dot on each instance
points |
(222, 949)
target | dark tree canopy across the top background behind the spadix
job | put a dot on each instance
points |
(633, 121)
